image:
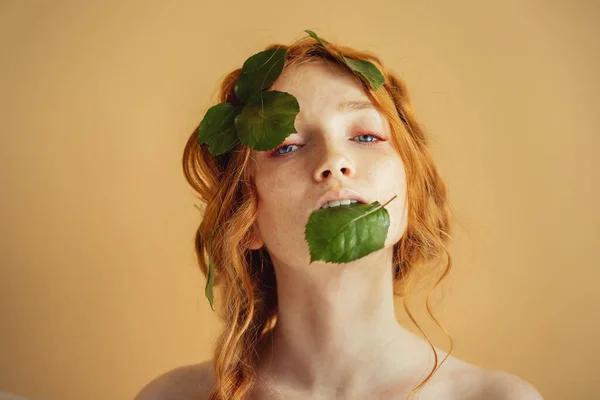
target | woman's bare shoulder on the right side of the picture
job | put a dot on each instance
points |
(479, 383)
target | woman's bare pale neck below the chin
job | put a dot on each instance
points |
(336, 327)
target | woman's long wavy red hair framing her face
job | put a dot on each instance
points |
(248, 304)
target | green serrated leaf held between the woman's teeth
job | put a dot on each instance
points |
(346, 233)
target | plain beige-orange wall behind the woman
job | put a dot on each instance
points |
(99, 291)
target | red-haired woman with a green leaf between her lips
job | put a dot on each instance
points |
(299, 327)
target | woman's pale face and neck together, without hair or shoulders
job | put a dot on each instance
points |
(337, 332)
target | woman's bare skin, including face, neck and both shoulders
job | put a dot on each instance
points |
(337, 336)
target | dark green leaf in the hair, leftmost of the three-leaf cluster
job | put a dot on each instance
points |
(217, 128)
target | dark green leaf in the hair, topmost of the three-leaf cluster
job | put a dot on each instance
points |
(259, 72)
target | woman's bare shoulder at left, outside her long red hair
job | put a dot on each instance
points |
(183, 383)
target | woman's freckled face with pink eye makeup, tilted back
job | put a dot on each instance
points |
(333, 149)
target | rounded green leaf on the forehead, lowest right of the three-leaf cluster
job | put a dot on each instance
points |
(267, 119)
